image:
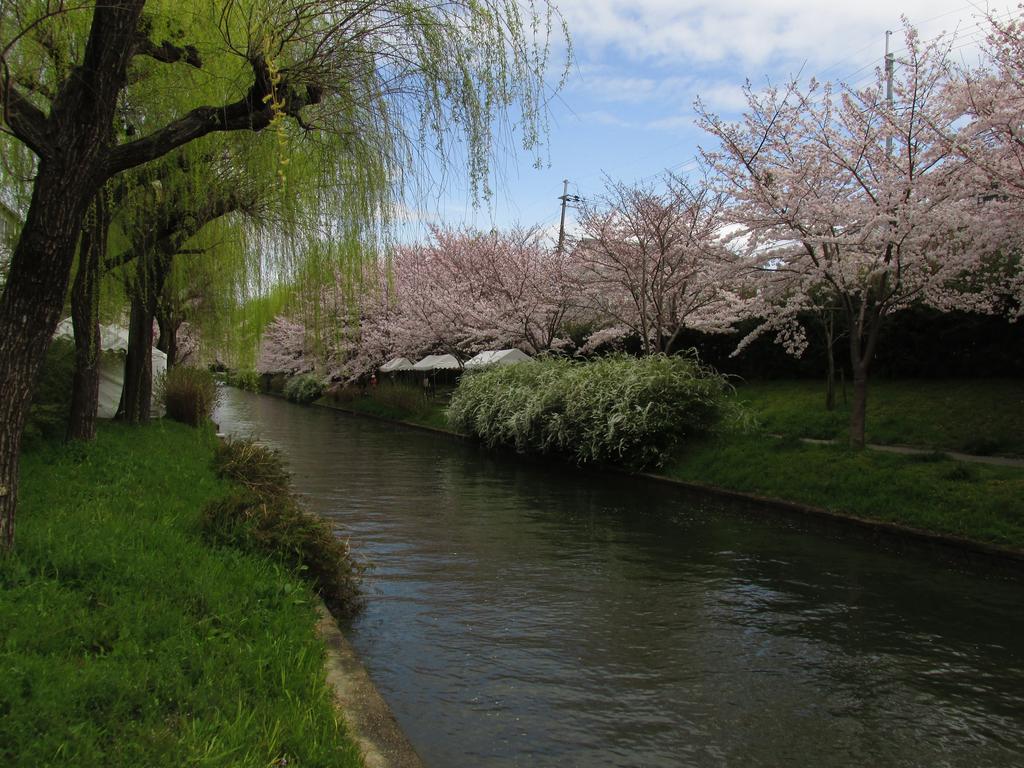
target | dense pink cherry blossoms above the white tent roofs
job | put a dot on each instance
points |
(462, 292)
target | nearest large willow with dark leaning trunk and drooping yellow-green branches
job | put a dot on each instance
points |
(383, 79)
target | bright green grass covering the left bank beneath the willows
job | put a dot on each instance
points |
(126, 642)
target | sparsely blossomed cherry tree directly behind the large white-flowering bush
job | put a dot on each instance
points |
(653, 263)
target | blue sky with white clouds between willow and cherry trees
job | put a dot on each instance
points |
(627, 110)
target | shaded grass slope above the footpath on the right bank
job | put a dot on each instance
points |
(983, 416)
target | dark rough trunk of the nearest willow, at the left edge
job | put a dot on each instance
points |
(73, 143)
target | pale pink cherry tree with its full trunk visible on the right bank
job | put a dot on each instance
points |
(846, 191)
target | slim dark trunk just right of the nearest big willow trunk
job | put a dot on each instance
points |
(86, 317)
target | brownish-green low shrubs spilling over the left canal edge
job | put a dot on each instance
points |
(267, 519)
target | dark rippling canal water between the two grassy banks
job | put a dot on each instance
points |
(525, 614)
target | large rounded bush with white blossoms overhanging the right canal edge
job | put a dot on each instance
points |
(617, 409)
